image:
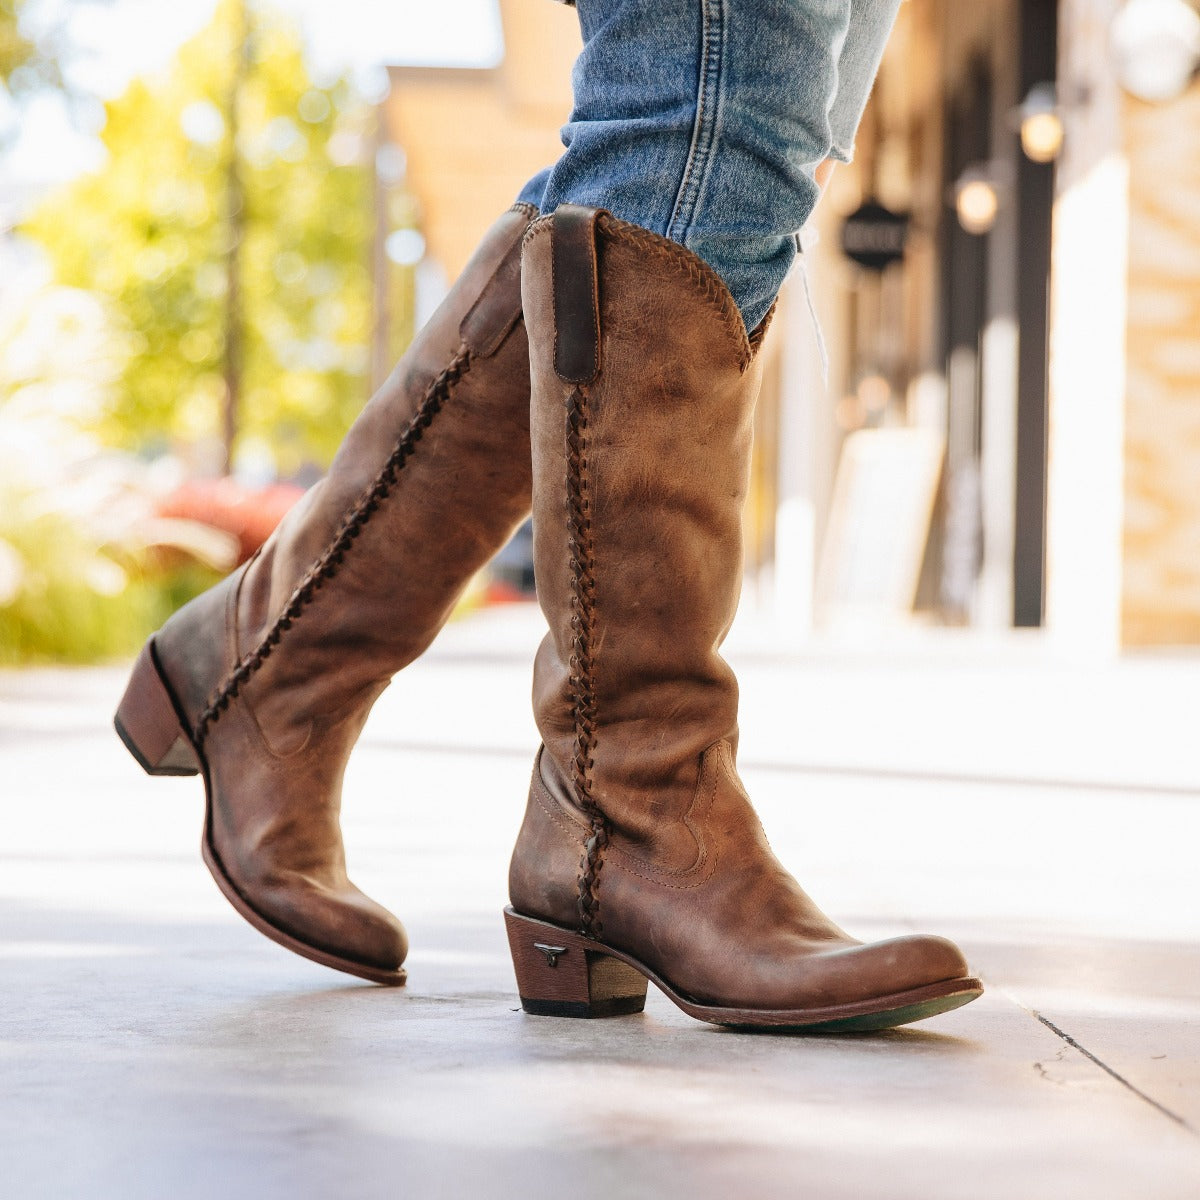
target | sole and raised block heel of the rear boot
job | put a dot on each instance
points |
(148, 721)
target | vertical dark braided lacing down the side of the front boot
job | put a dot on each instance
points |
(583, 565)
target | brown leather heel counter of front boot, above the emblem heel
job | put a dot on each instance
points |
(545, 868)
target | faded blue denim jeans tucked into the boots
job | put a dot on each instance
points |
(705, 121)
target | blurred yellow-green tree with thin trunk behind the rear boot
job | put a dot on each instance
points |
(230, 229)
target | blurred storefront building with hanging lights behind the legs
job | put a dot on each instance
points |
(1004, 429)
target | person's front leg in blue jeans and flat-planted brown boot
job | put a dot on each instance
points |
(640, 856)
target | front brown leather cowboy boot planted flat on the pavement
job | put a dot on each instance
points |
(640, 856)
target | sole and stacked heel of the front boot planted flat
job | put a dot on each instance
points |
(562, 974)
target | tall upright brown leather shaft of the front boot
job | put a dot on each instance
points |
(641, 425)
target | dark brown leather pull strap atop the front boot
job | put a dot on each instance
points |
(577, 295)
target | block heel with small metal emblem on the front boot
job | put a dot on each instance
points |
(562, 974)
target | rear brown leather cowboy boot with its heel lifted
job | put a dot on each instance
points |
(265, 682)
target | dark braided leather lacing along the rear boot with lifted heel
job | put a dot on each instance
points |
(332, 559)
